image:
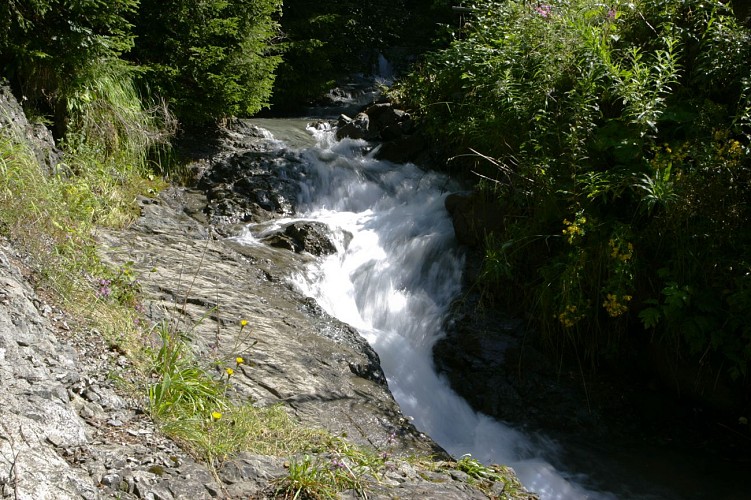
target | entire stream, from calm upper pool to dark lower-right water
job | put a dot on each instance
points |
(395, 272)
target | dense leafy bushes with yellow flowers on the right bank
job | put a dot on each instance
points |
(616, 137)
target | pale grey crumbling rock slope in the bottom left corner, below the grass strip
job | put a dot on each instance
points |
(65, 432)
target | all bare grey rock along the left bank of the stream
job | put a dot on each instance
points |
(68, 432)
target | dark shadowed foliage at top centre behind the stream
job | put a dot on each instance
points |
(326, 41)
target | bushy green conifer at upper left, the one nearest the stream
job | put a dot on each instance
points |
(209, 58)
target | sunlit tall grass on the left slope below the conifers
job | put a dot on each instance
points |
(106, 152)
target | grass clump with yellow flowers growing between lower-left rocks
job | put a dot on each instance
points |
(195, 407)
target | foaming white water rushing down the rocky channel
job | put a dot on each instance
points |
(395, 273)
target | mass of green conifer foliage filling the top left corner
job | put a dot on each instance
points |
(207, 59)
